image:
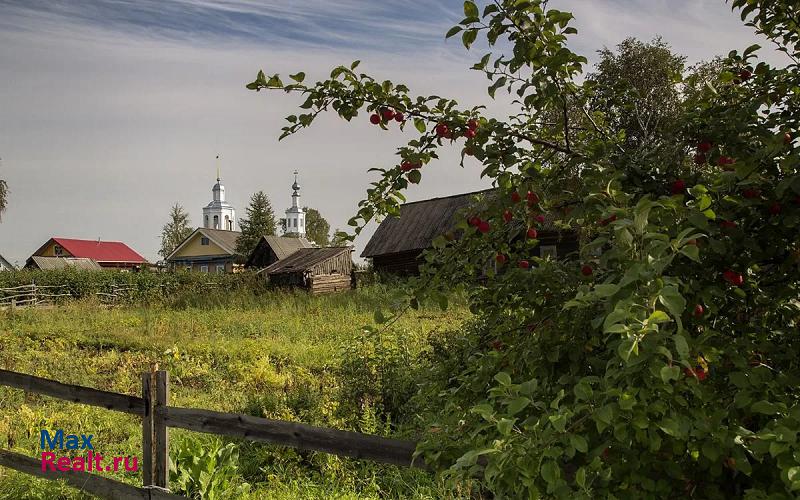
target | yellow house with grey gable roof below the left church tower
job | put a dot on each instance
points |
(207, 250)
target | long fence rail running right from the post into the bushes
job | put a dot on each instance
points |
(304, 437)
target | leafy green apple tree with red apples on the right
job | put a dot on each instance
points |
(662, 360)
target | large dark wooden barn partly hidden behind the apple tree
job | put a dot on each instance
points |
(398, 243)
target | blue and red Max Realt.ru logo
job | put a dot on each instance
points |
(90, 462)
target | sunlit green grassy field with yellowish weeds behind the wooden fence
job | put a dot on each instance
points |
(279, 355)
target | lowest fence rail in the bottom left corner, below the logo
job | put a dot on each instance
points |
(84, 481)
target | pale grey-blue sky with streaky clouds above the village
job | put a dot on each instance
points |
(111, 111)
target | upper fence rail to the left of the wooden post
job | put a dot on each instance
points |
(74, 393)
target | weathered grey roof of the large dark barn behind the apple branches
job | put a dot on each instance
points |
(418, 224)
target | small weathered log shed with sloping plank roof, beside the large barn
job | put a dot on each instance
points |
(318, 270)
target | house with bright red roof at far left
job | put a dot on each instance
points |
(108, 254)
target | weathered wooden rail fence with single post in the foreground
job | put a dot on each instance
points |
(157, 416)
